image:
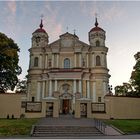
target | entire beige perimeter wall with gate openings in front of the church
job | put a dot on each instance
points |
(115, 107)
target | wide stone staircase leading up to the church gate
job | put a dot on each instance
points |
(64, 131)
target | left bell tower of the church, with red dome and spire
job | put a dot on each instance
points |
(37, 62)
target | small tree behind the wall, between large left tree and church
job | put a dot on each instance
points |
(21, 86)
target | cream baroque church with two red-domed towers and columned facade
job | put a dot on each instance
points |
(67, 74)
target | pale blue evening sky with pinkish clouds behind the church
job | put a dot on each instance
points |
(120, 20)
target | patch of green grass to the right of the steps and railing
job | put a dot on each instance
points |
(127, 126)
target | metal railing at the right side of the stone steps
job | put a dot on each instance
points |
(101, 126)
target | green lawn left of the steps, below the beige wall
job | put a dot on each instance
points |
(16, 126)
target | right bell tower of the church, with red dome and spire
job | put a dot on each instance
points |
(100, 76)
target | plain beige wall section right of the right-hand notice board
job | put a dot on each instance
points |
(123, 107)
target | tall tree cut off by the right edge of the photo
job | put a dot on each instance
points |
(135, 75)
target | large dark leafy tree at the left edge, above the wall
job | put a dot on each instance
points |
(9, 69)
